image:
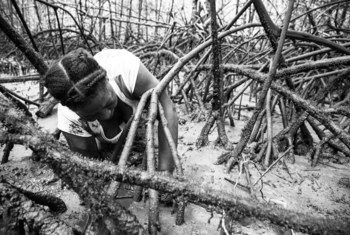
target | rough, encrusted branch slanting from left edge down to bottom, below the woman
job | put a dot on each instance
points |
(90, 189)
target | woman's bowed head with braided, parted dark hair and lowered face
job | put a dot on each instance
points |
(79, 83)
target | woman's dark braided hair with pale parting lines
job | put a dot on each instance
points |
(74, 77)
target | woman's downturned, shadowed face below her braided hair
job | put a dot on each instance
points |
(101, 106)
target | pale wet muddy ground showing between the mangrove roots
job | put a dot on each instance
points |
(321, 190)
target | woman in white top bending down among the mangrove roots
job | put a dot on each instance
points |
(98, 96)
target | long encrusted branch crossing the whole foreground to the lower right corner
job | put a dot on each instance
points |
(78, 172)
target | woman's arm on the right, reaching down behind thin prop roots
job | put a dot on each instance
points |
(145, 81)
